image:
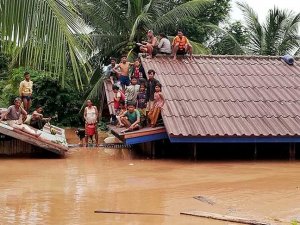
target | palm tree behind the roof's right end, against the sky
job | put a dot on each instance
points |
(279, 35)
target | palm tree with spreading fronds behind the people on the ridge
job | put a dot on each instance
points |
(119, 23)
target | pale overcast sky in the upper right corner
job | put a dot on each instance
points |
(261, 7)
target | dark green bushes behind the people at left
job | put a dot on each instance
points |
(64, 102)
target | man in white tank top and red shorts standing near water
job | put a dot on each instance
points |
(91, 119)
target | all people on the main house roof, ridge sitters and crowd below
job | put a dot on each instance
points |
(138, 99)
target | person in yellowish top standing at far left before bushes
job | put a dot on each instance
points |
(25, 91)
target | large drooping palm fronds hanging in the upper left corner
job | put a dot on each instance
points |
(45, 35)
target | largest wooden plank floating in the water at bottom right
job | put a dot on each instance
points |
(224, 217)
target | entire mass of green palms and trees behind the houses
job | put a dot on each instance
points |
(64, 44)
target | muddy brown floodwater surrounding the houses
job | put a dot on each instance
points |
(68, 191)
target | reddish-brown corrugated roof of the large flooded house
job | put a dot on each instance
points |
(252, 96)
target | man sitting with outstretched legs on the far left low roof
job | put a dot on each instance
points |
(14, 116)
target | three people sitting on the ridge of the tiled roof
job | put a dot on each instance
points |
(162, 45)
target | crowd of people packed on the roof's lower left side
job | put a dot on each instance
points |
(137, 100)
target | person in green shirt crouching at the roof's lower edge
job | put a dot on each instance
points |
(131, 118)
